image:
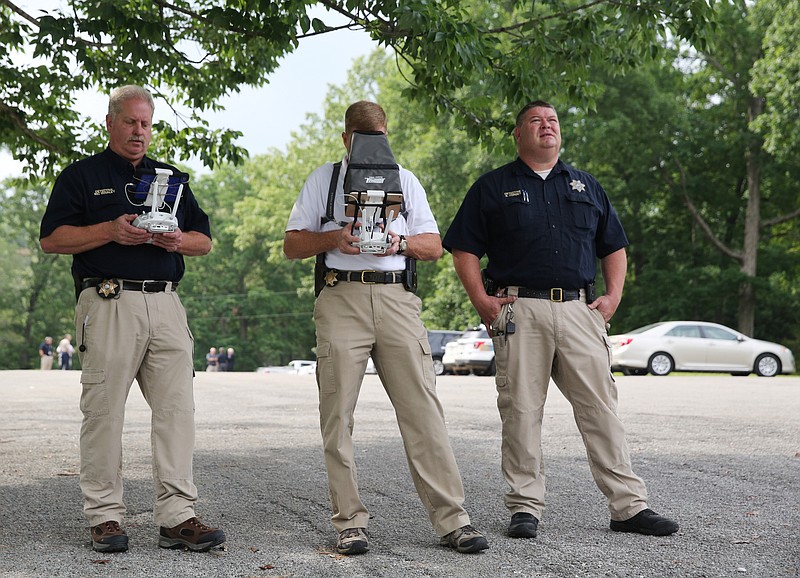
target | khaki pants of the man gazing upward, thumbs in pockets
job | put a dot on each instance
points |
(568, 341)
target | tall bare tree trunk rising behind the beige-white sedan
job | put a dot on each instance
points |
(747, 294)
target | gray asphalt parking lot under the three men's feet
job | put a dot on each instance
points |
(720, 454)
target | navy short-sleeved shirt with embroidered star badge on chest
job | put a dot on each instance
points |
(537, 233)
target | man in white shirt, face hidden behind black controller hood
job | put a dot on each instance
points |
(365, 309)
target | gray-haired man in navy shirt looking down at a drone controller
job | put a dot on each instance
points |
(130, 324)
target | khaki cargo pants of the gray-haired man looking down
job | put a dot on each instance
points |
(142, 336)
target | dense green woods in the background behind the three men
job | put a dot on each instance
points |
(675, 142)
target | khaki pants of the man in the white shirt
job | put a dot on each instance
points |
(353, 320)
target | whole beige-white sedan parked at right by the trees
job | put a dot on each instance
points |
(661, 348)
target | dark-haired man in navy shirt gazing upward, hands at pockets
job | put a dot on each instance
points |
(543, 224)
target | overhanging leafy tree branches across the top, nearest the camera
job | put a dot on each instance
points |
(470, 58)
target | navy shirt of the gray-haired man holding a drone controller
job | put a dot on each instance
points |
(92, 191)
